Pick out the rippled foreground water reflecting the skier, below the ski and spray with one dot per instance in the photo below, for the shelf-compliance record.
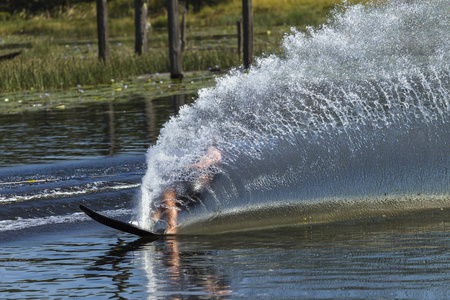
(394, 258)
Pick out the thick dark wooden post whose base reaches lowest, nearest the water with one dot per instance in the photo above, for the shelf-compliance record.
(176, 69)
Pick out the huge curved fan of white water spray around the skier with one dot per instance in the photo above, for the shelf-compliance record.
(352, 121)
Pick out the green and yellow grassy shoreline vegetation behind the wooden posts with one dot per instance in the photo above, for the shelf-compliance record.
(58, 48)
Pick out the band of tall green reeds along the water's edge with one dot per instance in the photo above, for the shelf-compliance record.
(50, 73)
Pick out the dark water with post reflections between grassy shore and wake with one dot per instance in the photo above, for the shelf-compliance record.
(102, 129)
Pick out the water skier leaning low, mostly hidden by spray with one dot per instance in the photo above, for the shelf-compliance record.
(186, 192)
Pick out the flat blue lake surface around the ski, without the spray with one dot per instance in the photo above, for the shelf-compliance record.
(49, 249)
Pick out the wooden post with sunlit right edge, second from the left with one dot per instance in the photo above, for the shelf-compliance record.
(140, 26)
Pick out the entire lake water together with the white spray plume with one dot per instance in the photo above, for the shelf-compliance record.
(334, 182)
